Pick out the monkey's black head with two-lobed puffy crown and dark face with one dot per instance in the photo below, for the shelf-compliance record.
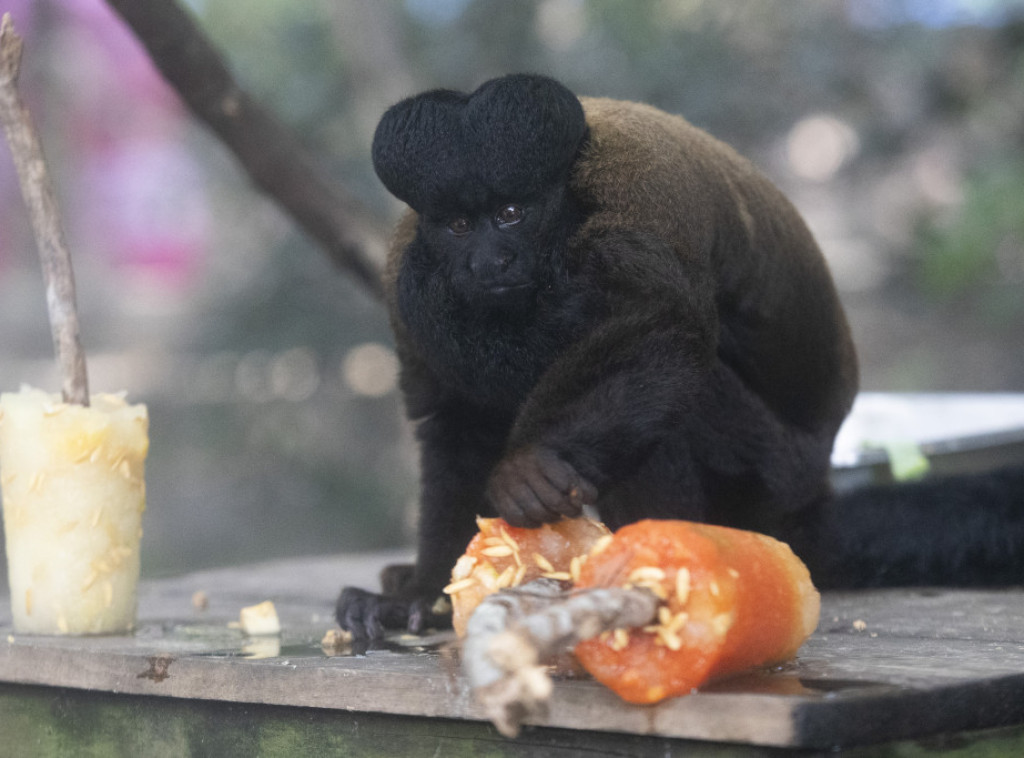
(488, 175)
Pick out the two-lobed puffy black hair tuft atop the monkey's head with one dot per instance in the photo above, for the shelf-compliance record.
(444, 151)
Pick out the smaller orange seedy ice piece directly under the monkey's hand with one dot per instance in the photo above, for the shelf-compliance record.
(501, 557)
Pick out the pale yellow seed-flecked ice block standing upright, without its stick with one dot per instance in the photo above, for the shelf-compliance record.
(74, 492)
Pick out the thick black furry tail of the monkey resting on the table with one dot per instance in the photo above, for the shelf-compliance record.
(964, 531)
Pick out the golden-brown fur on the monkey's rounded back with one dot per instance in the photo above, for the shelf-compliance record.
(645, 169)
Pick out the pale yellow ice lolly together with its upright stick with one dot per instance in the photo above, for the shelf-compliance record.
(71, 475)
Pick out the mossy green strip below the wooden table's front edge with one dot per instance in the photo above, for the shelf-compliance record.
(50, 723)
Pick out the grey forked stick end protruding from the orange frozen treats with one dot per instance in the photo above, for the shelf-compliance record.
(513, 633)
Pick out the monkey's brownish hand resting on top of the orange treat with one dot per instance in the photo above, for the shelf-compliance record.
(535, 487)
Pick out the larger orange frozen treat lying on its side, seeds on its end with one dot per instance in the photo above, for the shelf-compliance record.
(731, 601)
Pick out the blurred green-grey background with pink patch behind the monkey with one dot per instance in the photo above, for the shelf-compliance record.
(895, 125)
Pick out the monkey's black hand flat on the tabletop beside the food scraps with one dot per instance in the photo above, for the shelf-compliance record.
(369, 616)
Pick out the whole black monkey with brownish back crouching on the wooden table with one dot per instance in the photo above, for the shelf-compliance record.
(596, 303)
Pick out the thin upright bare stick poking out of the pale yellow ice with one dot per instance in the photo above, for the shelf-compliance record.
(39, 197)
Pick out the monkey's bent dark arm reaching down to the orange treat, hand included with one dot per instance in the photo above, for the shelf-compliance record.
(604, 405)
